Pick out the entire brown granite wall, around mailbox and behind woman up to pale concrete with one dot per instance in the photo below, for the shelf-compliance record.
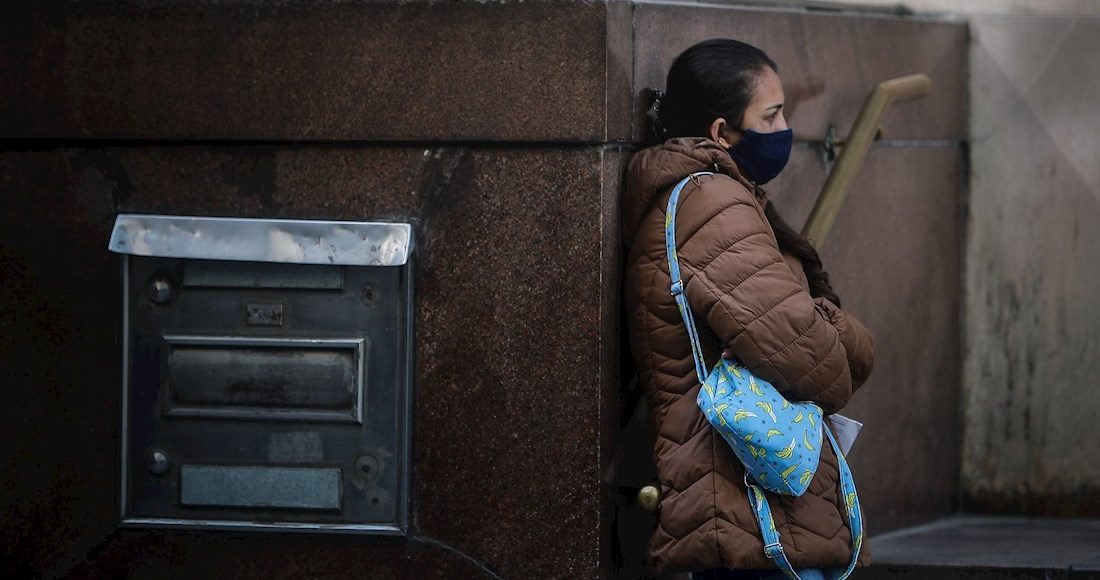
(502, 130)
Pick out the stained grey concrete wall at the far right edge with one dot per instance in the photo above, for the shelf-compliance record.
(1032, 332)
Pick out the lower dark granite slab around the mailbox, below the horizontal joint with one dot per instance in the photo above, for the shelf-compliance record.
(510, 348)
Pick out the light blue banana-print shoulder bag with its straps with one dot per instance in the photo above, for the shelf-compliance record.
(777, 441)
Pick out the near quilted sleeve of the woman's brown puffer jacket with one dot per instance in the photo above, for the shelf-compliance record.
(736, 280)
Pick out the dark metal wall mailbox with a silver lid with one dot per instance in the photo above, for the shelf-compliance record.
(267, 374)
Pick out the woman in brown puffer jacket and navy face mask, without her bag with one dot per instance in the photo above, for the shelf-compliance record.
(760, 294)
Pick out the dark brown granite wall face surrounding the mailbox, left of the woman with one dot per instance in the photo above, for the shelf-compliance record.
(492, 127)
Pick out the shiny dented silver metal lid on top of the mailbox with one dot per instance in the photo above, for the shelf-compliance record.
(361, 244)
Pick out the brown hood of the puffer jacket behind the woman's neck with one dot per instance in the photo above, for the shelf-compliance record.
(655, 170)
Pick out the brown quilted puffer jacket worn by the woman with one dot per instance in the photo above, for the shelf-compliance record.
(750, 298)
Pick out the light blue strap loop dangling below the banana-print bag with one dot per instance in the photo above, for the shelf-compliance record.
(774, 550)
